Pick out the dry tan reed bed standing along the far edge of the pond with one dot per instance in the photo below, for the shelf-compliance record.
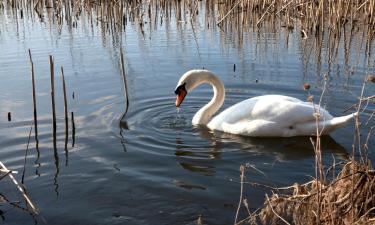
(313, 17)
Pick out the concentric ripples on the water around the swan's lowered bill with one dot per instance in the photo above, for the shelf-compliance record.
(157, 127)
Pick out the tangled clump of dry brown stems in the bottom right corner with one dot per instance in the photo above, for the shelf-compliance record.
(340, 202)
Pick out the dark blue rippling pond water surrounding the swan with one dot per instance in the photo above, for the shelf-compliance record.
(154, 167)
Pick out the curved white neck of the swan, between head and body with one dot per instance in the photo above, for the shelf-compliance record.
(204, 115)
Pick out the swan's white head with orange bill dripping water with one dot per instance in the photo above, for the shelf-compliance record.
(188, 82)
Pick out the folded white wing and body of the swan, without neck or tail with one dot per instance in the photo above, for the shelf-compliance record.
(267, 113)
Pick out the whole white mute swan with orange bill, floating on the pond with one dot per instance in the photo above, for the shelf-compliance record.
(262, 116)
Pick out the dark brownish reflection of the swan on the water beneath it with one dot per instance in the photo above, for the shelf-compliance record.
(282, 149)
